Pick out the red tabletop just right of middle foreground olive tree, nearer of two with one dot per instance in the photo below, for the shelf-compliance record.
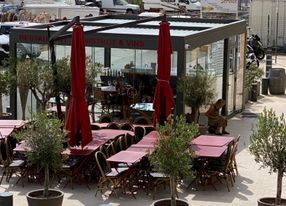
(208, 151)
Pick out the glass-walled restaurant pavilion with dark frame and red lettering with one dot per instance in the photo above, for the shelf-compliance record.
(126, 46)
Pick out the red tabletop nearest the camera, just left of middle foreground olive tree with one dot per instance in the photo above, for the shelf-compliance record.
(125, 156)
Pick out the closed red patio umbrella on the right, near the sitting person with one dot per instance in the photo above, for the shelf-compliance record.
(163, 98)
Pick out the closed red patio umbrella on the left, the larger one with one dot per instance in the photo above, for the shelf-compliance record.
(78, 122)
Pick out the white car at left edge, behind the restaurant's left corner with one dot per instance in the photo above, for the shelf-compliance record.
(23, 49)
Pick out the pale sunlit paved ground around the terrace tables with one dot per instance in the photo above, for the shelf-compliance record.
(251, 183)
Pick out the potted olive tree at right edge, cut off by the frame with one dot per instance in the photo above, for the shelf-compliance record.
(268, 145)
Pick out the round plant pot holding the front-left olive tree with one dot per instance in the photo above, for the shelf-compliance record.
(35, 198)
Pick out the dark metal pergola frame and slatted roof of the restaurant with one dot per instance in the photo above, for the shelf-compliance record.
(204, 34)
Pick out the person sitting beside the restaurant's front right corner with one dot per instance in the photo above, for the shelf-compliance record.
(216, 122)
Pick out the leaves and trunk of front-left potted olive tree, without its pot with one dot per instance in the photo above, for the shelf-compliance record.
(45, 138)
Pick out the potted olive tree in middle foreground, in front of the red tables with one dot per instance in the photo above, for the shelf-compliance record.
(172, 155)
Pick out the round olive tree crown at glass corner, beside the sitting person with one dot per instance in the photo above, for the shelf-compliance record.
(198, 88)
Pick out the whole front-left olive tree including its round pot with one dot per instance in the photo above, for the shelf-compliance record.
(44, 137)
